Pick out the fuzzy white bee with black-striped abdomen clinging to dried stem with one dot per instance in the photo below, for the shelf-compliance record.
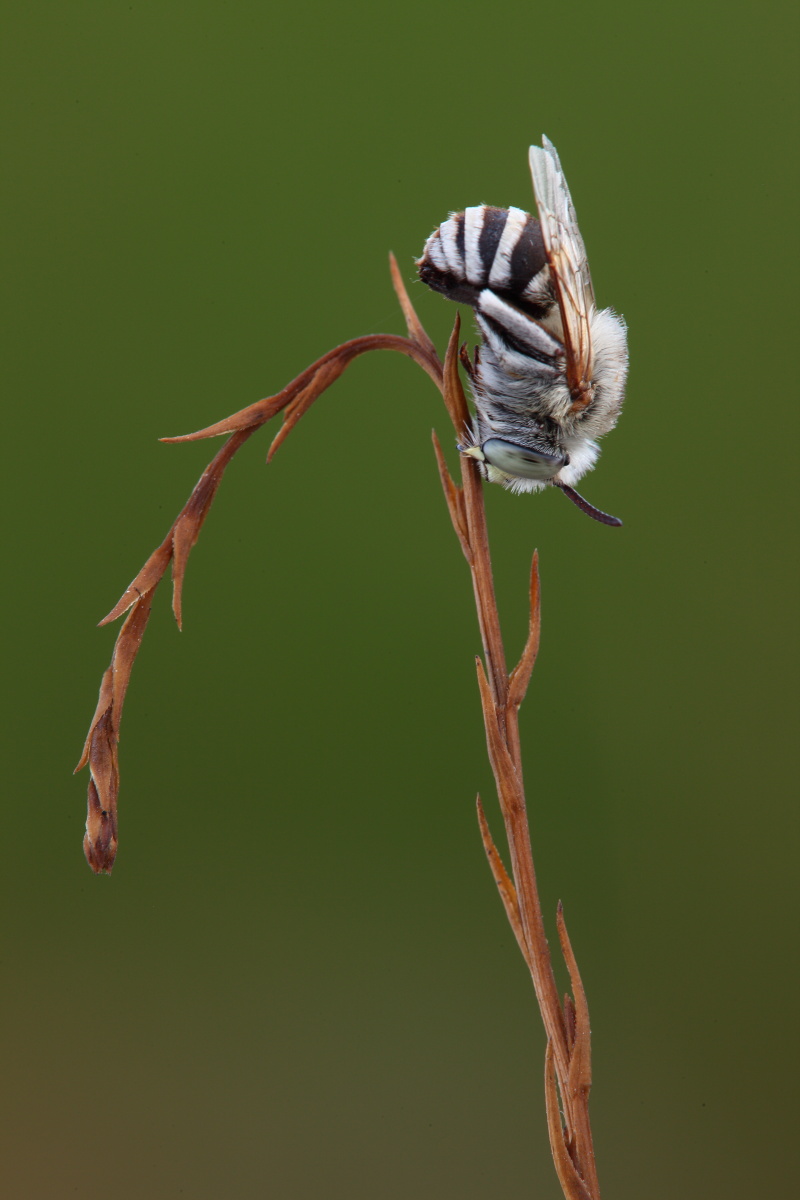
(550, 376)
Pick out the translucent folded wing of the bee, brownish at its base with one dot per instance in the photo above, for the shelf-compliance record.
(567, 256)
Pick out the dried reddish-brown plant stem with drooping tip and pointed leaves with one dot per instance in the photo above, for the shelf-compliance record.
(568, 1066)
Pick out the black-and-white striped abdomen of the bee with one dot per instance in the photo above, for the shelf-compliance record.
(486, 248)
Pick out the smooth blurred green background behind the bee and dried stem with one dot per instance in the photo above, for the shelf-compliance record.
(299, 982)
